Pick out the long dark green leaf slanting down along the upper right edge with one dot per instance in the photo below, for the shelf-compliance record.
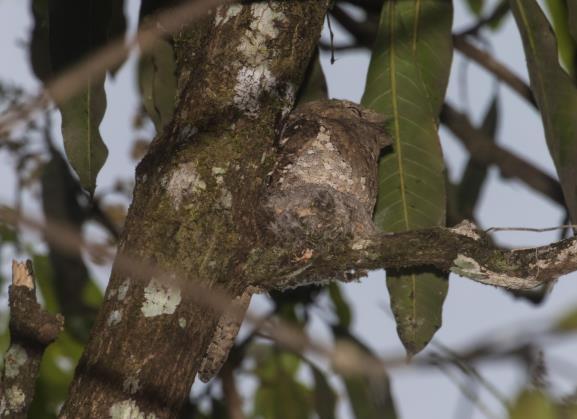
(555, 92)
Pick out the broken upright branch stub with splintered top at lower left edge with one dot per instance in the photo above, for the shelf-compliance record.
(31, 330)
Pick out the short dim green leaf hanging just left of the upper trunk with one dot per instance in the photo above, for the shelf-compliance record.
(157, 83)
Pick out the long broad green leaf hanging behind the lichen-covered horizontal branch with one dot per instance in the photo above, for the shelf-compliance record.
(406, 82)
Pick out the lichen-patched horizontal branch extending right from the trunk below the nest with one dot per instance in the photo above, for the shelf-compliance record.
(463, 250)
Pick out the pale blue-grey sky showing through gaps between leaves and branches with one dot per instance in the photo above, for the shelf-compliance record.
(472, 312)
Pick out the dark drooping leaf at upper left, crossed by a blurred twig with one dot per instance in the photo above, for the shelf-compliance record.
(77, 29)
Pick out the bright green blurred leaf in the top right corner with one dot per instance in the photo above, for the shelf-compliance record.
(565, 43)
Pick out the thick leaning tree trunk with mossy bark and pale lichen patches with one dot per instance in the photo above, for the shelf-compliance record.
(195, 215)
